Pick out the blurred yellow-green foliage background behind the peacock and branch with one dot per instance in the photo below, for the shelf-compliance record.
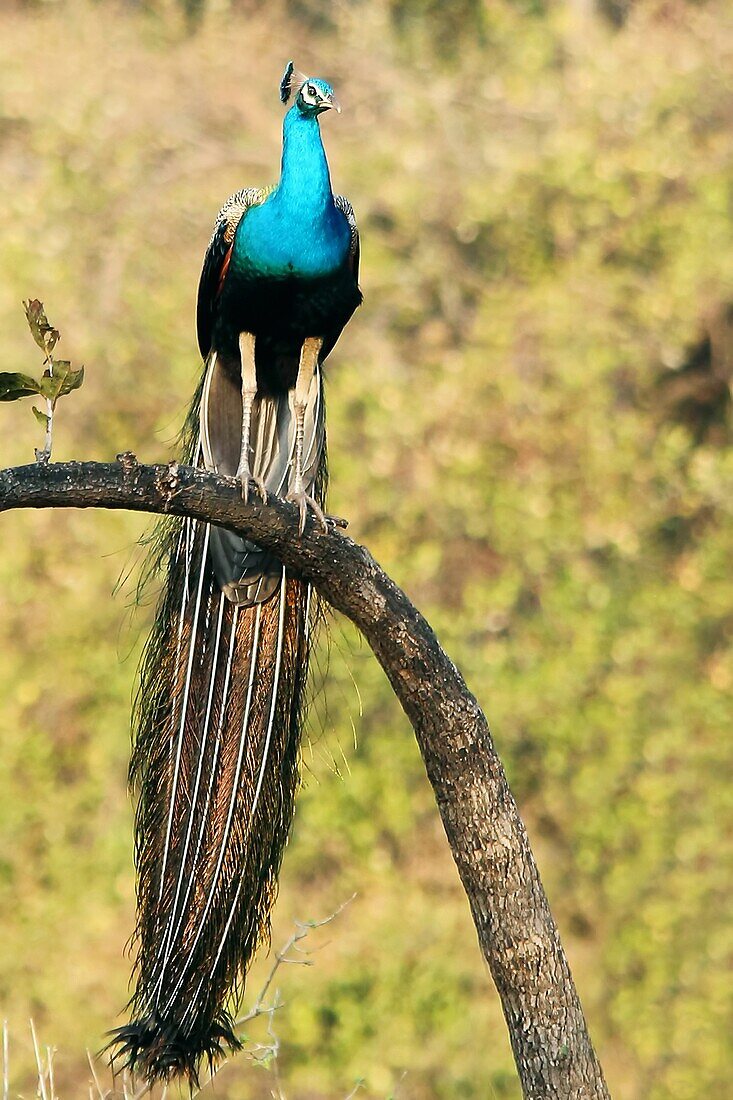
(530, 425)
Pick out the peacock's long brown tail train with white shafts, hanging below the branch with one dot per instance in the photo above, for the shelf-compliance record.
(215, 766)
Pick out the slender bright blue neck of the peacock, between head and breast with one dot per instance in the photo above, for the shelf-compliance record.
(305, 180)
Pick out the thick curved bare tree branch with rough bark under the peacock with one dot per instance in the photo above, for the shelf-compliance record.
(517, 932)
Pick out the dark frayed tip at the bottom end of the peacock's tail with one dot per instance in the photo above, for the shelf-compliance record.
(158, 1052)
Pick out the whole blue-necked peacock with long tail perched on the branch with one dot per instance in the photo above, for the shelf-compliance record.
(220, 710)
